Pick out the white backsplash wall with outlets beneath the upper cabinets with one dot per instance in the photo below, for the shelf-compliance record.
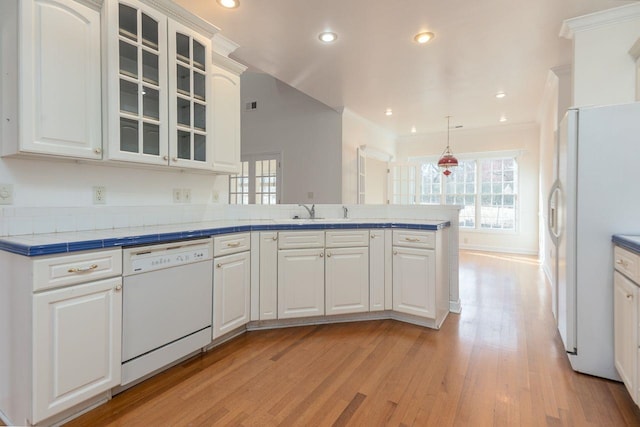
(53, 195)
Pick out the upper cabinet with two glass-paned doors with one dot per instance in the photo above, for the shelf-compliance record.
(159, 90)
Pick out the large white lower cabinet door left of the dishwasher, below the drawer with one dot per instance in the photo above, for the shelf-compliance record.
(76, 345)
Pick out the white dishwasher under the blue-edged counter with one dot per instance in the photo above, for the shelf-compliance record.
(166, 304)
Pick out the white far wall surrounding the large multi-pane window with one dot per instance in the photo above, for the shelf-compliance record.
(525, 139)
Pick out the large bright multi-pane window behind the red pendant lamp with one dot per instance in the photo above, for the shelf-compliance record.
(485, 187)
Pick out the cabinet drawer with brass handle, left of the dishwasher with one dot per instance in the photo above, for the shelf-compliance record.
(56, 271)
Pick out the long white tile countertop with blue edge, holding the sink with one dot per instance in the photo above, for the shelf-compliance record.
(56, 243)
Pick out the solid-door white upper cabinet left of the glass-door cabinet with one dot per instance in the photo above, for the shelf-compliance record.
(51, 78)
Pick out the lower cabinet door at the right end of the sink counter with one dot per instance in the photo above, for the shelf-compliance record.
(414, 281)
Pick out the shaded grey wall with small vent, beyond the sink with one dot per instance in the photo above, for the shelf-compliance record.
(307, 133)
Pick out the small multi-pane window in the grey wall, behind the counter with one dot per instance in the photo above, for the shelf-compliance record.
(258, 183)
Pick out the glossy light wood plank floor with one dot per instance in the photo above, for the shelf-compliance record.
(500, 362)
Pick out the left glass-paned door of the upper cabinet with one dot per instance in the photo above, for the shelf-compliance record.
(138, 126)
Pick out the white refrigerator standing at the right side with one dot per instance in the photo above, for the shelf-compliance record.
(596, 194)
